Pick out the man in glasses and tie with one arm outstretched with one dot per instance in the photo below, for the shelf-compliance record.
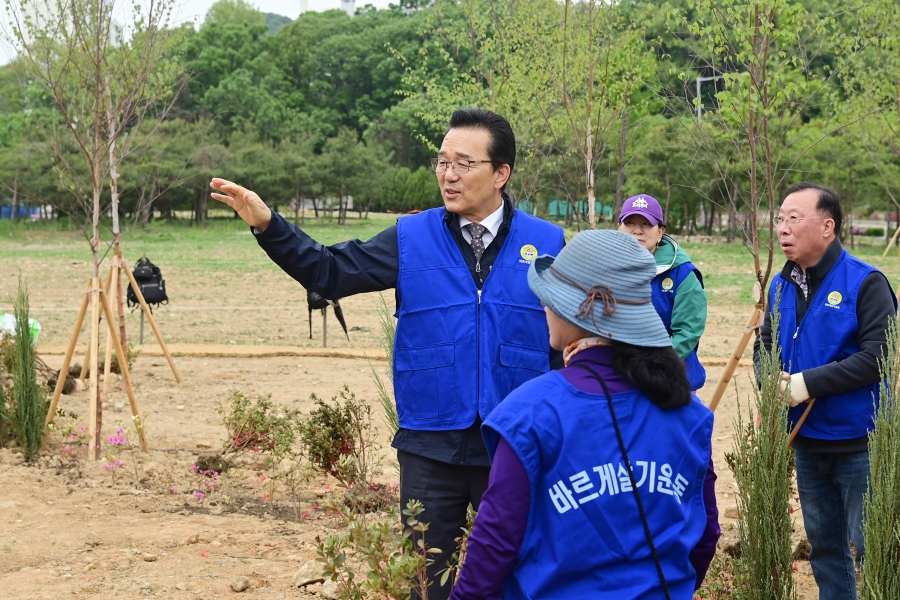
(469, 329)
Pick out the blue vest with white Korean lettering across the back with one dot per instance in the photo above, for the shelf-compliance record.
(585, 538)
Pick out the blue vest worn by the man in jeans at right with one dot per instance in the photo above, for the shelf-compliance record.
(828, 332)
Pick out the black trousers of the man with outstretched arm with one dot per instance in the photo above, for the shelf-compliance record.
(445, 492)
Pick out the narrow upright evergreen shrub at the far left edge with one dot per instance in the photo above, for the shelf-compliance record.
(30, 408)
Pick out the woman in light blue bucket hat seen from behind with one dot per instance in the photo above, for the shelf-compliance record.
(564, 516)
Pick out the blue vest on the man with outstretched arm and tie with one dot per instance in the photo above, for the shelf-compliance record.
(458, 350)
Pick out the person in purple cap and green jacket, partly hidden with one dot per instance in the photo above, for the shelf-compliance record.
(678, 293)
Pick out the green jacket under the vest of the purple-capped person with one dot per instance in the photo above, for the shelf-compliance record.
(689, 310)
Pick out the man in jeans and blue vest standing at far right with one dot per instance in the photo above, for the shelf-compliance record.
(834, 310)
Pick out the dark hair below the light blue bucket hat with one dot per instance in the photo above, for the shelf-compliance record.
(658, 372)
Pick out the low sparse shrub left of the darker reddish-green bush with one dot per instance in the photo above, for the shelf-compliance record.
(256, 427)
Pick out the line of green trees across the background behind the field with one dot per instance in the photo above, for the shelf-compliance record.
(603, 98)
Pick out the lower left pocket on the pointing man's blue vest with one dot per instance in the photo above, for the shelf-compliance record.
(425, 383)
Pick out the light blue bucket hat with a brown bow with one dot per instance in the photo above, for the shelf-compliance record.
(600, 282)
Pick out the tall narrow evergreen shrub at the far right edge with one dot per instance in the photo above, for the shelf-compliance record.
(881, 509)
